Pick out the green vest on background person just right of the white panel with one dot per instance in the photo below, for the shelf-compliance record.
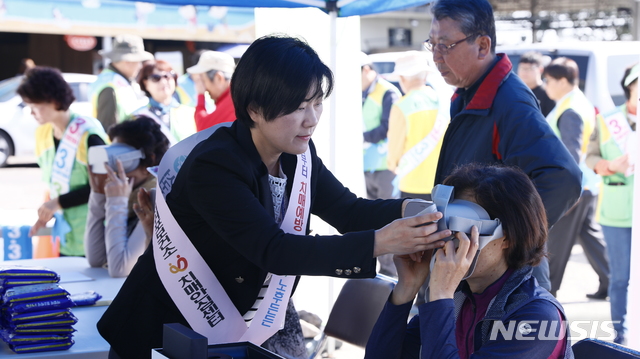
(375, 154)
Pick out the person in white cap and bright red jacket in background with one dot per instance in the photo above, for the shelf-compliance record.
(215, 69)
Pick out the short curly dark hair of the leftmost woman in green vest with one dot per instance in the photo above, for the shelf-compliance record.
(43, 84)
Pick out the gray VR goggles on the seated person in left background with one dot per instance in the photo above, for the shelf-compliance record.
(129, 156)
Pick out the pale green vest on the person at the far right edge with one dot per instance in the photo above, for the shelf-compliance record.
(616, 206)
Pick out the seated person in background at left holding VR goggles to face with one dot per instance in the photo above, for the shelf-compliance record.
(114, 236)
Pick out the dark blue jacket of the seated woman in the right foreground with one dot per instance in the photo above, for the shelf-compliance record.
(431, 333)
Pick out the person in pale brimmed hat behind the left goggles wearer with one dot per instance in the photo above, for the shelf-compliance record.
(113, 95)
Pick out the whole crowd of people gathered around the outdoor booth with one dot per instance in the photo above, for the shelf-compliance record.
(529, 150)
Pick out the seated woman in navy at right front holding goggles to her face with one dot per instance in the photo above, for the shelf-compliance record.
(497, 310)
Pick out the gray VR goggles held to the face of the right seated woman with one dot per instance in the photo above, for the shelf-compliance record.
(459, 216)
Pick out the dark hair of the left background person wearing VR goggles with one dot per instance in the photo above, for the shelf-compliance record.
(142, 132)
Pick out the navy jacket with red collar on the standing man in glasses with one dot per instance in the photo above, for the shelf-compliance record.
(498, 120)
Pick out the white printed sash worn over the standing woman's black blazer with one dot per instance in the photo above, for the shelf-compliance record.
(188, 279)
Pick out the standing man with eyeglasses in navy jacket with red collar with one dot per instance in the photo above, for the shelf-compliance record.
(495, 118)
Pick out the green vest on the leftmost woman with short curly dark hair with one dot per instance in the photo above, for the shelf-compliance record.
(75, 216)
